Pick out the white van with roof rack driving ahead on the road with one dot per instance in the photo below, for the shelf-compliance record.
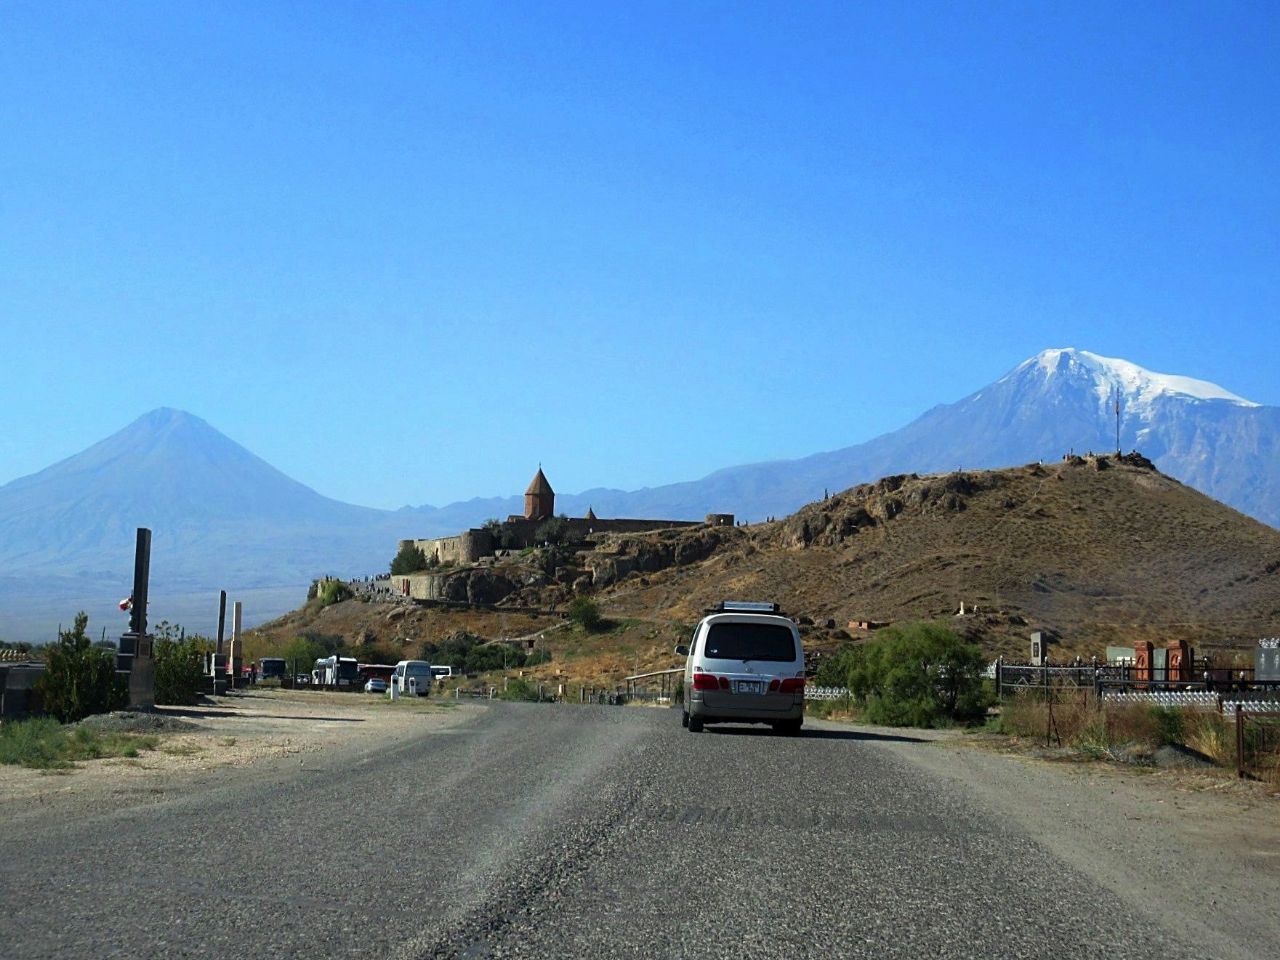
(744, 665)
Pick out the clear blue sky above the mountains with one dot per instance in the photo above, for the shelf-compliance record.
(408, 252)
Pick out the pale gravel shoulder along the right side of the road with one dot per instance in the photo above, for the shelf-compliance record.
(1196, 853)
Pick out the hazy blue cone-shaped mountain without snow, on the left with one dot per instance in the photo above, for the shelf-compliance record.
(221, 516)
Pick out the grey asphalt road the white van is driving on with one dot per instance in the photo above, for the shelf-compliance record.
(564, 831)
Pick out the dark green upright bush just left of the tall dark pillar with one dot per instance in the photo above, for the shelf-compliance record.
(80, 679)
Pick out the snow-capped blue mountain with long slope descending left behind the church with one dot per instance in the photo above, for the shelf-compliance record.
(1058, 401)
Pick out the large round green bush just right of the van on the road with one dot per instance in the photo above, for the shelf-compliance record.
(921, 675)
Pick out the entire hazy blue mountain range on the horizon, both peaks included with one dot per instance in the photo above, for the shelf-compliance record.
(223, 518)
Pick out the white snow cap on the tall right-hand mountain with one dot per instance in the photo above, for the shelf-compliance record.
(1139, 386)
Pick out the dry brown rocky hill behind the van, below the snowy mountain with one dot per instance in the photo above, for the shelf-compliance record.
(1095, 551)
